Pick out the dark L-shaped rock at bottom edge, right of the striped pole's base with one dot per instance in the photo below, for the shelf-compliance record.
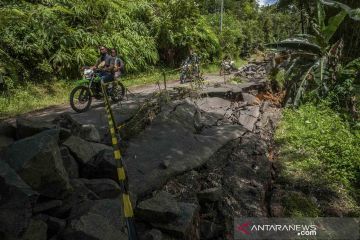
(184, 226)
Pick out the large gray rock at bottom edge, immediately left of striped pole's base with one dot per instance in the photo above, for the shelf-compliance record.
(96, 220)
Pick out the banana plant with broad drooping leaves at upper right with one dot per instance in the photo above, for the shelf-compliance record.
(314, 61)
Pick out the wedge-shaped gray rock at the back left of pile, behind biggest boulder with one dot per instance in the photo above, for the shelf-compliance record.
(28, 127)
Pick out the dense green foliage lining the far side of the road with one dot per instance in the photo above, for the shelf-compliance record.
(43, 39)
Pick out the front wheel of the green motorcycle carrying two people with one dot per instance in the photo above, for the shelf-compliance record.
(80, 99)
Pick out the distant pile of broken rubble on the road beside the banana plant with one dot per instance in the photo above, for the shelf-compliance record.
(254, 70)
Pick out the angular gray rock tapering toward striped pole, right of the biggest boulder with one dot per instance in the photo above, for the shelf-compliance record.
(84, 151)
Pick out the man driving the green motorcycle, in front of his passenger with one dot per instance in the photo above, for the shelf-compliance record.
(105, 65)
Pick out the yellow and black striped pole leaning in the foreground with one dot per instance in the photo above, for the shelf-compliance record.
(127, 206)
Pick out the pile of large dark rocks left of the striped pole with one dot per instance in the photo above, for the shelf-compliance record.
(55, 184)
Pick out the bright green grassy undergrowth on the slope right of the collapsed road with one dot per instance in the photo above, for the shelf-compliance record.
(319, 151)
